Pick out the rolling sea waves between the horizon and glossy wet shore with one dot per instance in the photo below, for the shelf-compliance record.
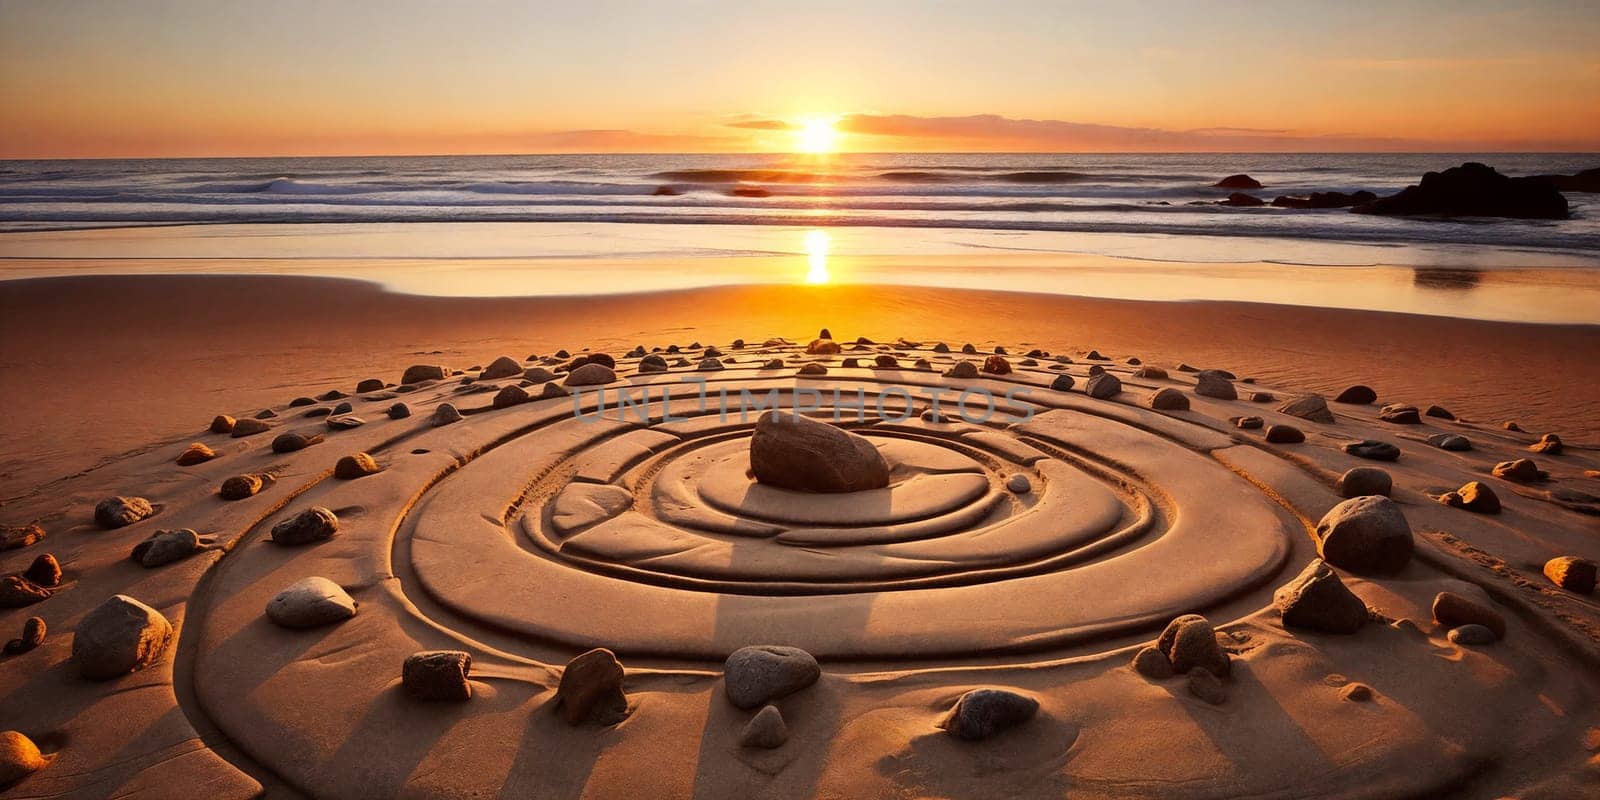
(1105, 194)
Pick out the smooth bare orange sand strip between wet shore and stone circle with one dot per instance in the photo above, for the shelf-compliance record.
(241, 343)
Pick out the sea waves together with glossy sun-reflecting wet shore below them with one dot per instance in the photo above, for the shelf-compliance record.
(1116, 226)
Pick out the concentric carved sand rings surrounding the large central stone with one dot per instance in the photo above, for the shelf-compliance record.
(639, 529)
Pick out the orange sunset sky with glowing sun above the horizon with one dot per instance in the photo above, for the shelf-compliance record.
(377, 78)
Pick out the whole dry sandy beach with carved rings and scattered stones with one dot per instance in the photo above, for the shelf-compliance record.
(1030, 558)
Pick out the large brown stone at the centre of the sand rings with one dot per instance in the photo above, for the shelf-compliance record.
(798, 454)
